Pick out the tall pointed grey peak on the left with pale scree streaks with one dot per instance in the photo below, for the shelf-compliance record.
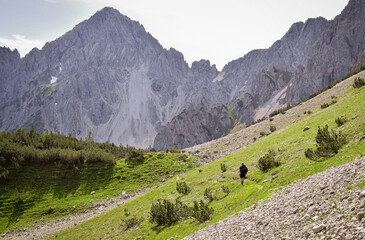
(108, 76)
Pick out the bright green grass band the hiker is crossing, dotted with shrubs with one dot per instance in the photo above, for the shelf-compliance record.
(290, 141)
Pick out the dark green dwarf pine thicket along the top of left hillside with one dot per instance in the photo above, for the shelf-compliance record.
(21, 147)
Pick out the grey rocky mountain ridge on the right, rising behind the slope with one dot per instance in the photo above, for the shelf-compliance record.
(310, 56)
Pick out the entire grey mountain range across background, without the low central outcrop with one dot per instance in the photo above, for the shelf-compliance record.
(111, 77)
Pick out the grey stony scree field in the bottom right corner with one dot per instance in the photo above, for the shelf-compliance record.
(327, 205)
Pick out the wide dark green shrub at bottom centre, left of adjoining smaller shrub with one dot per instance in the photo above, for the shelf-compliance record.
(165, 212)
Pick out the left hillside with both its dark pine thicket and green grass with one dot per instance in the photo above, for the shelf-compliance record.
(48, 176)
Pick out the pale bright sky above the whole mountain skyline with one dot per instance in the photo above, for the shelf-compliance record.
(217, 30)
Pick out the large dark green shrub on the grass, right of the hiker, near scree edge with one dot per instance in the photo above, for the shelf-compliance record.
(328, 144)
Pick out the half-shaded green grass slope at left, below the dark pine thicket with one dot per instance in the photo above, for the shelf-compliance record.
(32, 190)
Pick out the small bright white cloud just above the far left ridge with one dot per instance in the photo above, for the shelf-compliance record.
(21, 43)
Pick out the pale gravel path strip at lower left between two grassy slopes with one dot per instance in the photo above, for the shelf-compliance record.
(50, 228)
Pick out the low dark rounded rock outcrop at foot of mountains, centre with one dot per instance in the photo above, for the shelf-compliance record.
(195, 125)
